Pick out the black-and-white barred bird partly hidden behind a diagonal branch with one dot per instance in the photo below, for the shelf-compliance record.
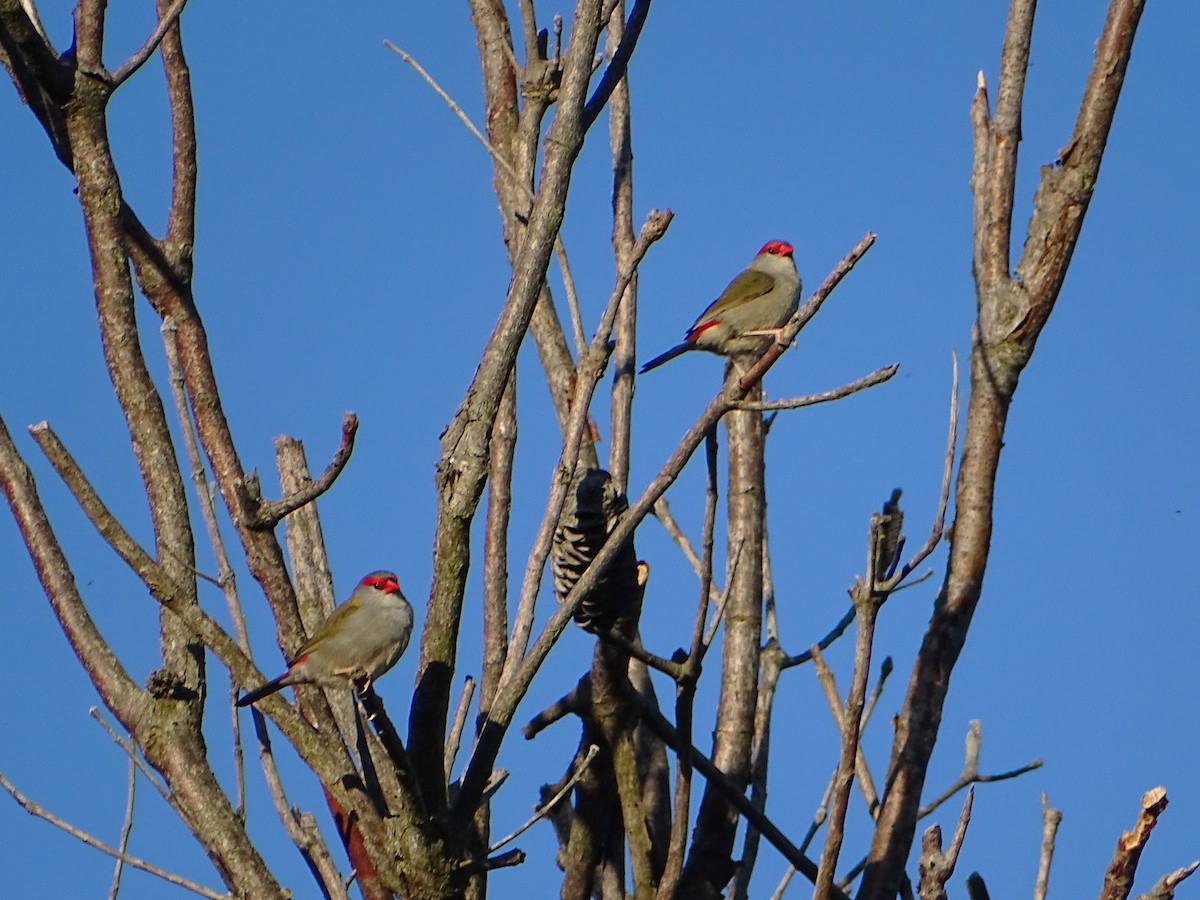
(593, 509)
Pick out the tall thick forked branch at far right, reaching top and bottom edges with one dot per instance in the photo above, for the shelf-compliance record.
(1011, 316)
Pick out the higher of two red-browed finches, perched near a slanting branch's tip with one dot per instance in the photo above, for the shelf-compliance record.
(757, 304)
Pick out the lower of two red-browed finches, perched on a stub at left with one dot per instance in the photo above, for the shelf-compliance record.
(361, 640)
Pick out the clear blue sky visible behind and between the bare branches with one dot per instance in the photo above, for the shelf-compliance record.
(349, 257)
